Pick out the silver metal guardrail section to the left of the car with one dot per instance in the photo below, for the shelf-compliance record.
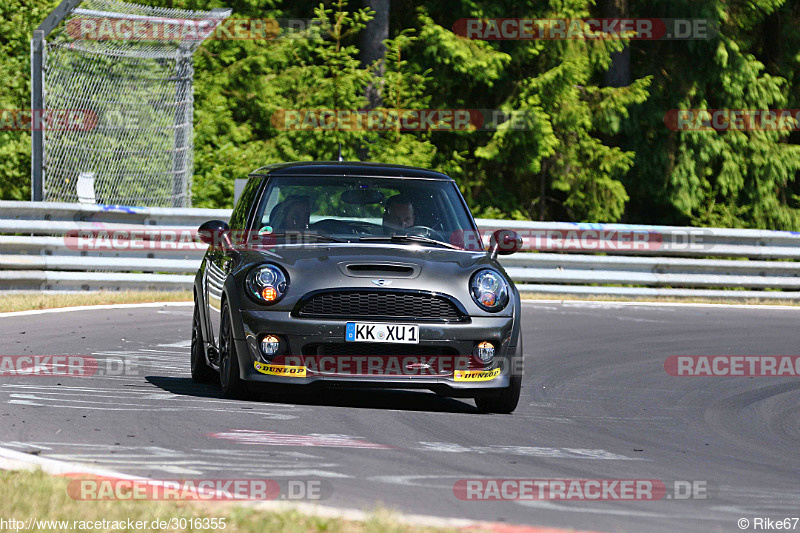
(34, 253)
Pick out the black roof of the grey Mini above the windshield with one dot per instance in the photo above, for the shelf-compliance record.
(348, 168)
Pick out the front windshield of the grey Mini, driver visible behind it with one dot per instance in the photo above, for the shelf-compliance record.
(366, 209)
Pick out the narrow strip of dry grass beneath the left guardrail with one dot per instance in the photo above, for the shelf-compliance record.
(44, 300)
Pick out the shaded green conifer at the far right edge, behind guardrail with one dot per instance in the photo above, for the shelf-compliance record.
(725, 178)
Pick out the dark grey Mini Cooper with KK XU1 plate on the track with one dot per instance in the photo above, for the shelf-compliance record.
(357, 275)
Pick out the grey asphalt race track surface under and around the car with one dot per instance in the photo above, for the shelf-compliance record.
(597, 404)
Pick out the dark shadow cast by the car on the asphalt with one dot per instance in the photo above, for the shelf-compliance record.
(405, 400)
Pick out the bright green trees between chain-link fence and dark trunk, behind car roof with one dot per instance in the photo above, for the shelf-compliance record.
(242, 97)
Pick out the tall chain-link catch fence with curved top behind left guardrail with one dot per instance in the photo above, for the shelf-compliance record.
(126, 70)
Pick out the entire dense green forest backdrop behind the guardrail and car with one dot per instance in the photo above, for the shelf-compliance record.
(579, 146)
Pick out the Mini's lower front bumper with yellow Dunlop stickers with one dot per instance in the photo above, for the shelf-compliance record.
(455, 371)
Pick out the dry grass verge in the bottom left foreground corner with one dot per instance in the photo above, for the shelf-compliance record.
(35, 495)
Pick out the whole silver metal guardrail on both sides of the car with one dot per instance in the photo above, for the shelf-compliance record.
(676, 261)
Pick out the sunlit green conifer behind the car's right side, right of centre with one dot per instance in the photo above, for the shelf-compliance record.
(552, 159)
